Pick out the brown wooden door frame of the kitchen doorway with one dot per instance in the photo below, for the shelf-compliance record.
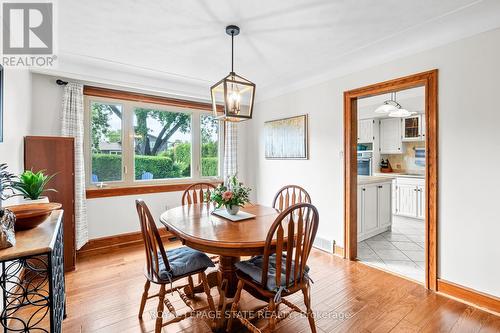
(427, 83)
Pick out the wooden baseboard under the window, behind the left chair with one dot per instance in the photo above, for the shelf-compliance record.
(105, 244)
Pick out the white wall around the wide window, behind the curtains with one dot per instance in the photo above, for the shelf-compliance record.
(114, 215)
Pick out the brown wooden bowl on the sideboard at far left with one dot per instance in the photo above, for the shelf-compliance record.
(29, 216)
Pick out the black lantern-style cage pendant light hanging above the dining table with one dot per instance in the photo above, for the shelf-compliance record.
(233, 96)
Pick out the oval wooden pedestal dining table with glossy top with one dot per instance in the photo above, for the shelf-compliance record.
(197, 227)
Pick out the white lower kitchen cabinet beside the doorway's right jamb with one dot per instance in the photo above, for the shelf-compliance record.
(409, 197)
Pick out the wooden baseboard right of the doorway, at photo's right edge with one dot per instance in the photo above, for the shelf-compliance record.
(470, 296)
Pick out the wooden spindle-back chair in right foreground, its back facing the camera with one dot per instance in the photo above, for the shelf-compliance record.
(282, 270)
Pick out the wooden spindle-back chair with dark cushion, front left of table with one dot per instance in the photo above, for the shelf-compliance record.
(166, 267)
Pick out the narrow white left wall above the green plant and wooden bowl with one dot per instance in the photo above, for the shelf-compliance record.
(17, 118)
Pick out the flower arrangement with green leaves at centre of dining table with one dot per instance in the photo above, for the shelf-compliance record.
(232, 196)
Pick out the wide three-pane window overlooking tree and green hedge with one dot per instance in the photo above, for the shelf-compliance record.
(132, 143)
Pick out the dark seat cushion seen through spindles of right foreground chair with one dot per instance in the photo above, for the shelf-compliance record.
(253, 268)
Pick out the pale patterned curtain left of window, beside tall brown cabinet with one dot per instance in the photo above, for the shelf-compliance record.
(73, 126)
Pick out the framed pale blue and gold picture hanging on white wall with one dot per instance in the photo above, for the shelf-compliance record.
(286, 138)
